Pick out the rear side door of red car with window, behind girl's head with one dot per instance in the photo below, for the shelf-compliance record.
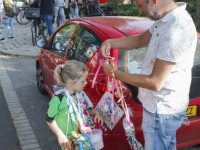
(83, 48)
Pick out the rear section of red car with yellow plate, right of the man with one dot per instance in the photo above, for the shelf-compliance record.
(189, 132)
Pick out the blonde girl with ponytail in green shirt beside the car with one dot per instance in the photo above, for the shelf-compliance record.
(70, 108)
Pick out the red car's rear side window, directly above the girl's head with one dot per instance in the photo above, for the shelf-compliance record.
(84, 44)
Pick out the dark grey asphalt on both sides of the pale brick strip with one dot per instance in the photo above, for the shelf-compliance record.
(22, 74)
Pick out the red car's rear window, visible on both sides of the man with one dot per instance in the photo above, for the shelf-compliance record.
(131, 61)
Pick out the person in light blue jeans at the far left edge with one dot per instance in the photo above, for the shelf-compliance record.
(8, 7)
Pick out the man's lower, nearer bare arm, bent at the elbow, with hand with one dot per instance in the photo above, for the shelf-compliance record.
(154, 81)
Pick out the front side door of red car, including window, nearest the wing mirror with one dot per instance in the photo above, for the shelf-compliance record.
(56, 52)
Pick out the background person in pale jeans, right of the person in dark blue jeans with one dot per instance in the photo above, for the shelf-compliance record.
(59, 8)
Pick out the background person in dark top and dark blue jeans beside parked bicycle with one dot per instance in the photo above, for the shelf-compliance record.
(46, 12)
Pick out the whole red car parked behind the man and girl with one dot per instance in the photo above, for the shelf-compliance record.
(81, 39)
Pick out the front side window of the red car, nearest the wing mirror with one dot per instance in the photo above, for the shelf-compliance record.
(61, 39)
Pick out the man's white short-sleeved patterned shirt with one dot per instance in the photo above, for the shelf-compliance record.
(174, 39)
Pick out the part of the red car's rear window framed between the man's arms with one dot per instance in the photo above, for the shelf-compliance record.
(131, 61)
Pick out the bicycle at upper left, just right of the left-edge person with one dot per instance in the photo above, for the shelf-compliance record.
(21, 18)
